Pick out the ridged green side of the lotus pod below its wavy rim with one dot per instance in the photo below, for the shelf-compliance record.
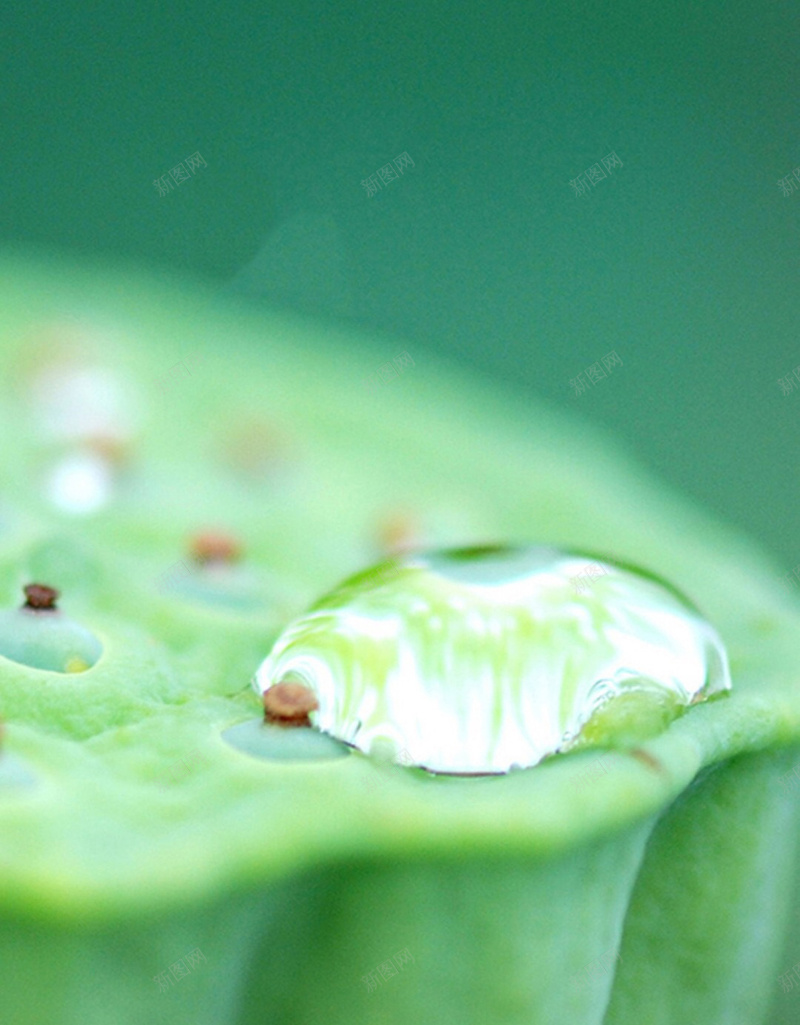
(653, 923)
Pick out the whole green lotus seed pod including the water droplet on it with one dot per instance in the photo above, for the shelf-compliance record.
(192, 855)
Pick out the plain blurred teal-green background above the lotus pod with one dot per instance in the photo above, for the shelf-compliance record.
(685, 261)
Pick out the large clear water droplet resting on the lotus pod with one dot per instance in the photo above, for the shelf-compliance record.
(479, 660)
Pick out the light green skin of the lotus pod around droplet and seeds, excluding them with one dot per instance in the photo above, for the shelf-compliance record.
(298, 879)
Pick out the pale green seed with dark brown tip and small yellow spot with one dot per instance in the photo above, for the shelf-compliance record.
(41, 636)
